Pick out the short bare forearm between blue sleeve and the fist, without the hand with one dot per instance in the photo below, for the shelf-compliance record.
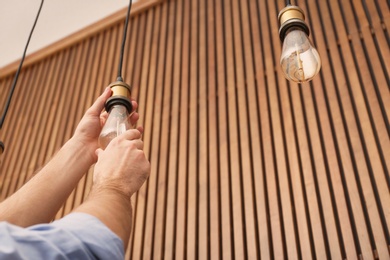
(111, 207)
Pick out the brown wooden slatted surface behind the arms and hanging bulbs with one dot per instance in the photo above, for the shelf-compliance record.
(245, 165)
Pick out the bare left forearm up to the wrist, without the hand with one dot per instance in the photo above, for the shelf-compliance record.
(41, 197)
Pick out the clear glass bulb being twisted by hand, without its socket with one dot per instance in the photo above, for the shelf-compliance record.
(117, 123)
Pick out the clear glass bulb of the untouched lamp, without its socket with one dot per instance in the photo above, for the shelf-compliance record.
(300, 61)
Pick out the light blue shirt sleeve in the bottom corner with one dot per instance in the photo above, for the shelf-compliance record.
(76, 236)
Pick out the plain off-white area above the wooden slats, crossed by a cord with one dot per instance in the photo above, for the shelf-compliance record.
(58, 19)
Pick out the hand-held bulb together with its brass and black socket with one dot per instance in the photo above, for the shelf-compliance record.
(118, 107)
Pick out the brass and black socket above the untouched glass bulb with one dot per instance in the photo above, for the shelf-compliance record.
(291, 16)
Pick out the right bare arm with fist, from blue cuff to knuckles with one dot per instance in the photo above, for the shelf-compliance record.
(120, 171)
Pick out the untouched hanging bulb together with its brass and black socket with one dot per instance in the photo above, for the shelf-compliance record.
(300, 61)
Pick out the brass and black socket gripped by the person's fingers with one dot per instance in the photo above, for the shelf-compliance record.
(120, 96)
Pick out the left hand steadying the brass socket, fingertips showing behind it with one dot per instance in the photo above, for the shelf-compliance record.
(90, 126)
